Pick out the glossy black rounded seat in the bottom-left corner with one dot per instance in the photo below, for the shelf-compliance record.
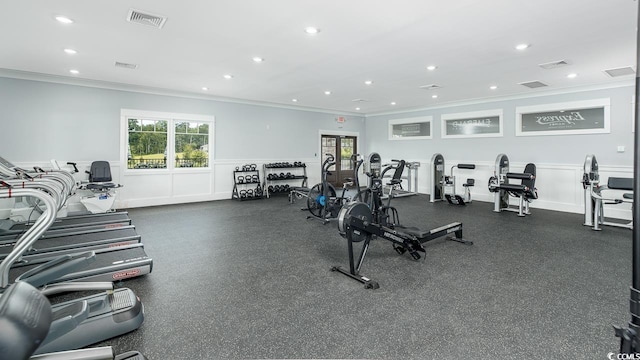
(25, 318)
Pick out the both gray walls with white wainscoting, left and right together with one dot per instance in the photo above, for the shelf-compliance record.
(44, 120)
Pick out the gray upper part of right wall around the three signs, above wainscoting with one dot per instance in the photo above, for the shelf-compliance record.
(558, 149)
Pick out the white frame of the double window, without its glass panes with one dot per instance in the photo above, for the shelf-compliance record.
(171, 118)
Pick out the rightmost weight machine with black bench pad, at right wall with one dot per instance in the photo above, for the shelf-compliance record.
(595, 199)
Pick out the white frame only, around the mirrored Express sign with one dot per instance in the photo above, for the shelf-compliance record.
(584, 104)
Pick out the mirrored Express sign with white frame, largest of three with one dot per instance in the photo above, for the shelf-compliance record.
(580, 117)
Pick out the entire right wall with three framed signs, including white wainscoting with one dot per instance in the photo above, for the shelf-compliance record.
(559, 158)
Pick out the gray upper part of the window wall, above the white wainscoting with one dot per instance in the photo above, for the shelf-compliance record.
(42, 120)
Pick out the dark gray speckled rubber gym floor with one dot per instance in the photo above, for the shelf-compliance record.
(252, 280)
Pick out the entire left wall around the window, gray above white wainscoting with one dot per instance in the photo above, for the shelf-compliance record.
(44, 120)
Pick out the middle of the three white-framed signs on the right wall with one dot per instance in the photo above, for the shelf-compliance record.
(486, 123)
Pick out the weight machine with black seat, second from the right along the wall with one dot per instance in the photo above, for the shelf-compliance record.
(501, 188)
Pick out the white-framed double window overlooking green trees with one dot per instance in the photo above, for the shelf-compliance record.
(164, 140)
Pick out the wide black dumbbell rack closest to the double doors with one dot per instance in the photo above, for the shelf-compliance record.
(273, 177)
